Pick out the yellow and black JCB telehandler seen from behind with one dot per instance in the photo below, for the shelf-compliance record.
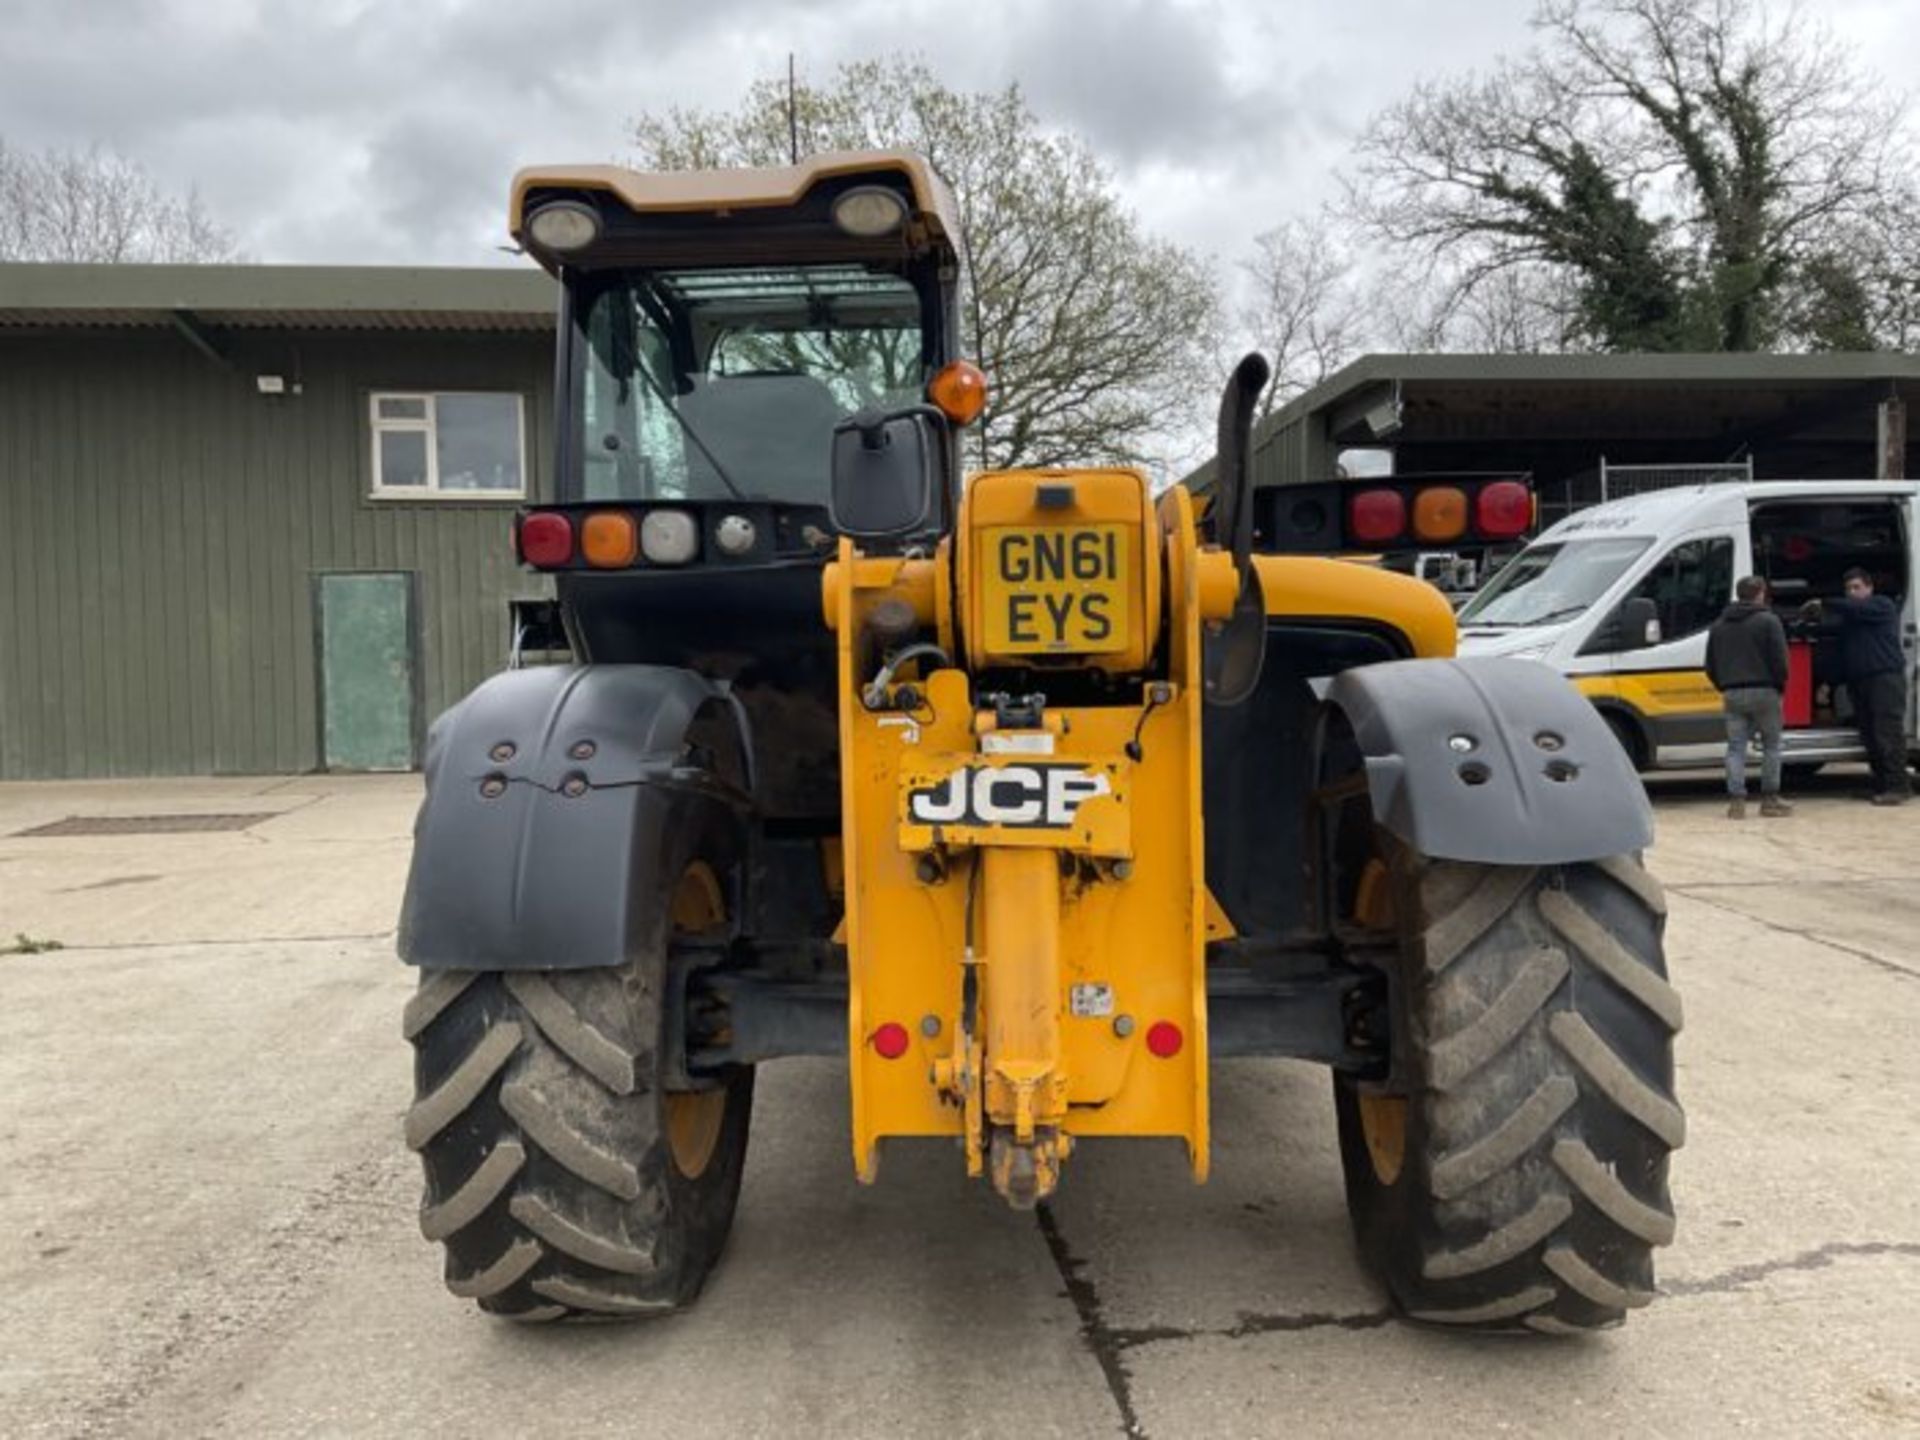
(1032, 794)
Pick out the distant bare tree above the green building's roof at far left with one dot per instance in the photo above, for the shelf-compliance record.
(99, 206)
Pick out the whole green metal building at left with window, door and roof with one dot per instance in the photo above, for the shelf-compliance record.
(256, 519)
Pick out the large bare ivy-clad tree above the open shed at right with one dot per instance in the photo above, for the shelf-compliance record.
(1687, 162)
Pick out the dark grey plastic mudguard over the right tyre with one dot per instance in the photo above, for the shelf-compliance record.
(1495, 761)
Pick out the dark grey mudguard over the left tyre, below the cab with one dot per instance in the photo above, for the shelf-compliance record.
(556, 802)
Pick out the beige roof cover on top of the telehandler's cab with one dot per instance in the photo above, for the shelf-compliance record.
(742, 189)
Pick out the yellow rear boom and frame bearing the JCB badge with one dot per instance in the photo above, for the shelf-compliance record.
(1049, 1015)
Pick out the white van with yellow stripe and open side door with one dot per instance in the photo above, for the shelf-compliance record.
(1620, 600)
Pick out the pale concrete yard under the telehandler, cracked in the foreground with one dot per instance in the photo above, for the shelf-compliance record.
(208, 1214)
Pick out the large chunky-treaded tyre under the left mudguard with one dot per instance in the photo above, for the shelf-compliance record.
(562, 1178)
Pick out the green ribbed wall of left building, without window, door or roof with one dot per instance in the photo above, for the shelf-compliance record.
(162, 521)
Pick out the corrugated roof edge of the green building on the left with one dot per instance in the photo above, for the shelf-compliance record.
(279, 297)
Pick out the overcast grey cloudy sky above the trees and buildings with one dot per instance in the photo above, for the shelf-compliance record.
(364, 132)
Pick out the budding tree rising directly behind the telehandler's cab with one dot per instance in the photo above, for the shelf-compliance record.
(1095, 335)
